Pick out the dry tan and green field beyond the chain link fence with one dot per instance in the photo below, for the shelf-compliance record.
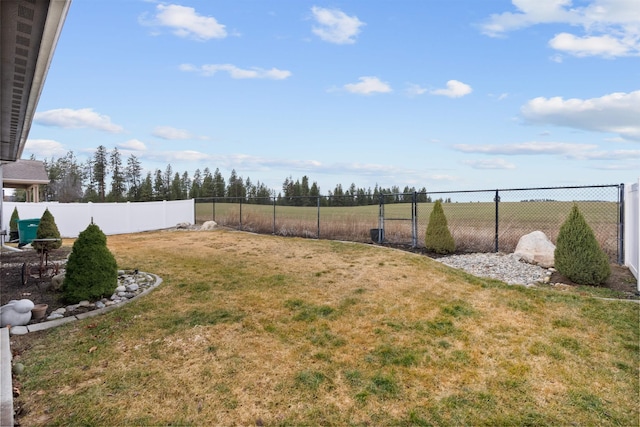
(473, 225)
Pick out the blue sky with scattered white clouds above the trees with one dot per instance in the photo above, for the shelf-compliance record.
(444, 94)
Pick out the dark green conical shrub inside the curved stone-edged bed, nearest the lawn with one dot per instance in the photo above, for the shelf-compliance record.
(91, 271)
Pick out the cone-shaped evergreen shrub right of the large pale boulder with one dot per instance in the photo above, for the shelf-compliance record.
(578, 256)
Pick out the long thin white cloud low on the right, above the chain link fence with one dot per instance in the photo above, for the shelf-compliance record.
(527, 148)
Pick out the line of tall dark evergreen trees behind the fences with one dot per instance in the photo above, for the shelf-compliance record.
(107, 177)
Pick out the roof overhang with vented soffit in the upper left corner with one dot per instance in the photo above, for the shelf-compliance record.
(29, 31)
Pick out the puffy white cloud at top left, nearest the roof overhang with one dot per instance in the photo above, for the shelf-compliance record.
(185, 22)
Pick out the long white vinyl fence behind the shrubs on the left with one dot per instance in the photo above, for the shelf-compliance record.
(112, 218)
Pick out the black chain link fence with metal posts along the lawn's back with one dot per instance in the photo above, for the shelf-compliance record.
(479, 220)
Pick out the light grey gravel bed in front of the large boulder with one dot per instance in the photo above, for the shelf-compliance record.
(505, 267)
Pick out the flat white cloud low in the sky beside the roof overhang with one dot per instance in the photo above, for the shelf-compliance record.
(76, 119)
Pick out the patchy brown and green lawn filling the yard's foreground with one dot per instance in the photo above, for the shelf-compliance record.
(253, 329)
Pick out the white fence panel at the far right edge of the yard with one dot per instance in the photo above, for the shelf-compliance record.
(632, 228)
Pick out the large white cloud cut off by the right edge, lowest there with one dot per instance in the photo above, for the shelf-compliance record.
(616, 113)
